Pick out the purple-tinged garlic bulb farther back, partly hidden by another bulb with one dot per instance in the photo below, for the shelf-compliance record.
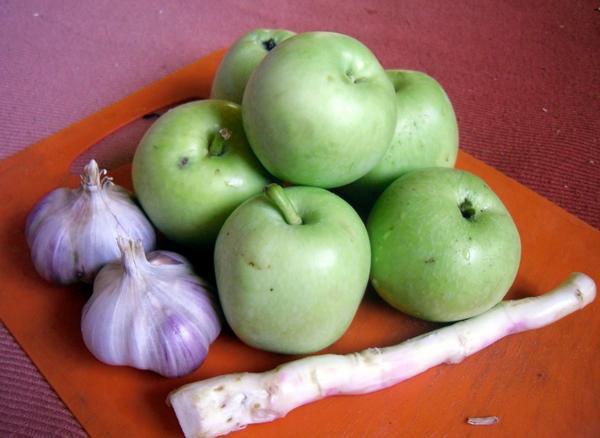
(72, 232)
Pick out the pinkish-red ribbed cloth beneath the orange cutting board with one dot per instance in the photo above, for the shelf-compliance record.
(523, 77)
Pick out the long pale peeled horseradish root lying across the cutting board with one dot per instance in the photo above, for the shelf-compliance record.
(223, 404)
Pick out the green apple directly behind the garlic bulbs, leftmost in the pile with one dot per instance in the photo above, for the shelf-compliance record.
(193, 167)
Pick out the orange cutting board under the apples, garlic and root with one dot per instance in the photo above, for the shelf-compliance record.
(545, 382)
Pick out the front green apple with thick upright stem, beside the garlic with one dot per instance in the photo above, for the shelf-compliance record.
(291, 268)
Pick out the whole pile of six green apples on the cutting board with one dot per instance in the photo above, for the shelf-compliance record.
(315, 112)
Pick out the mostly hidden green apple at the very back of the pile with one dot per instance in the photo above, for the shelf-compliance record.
(240, 61)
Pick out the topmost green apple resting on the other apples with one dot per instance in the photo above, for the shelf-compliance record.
(319, 110)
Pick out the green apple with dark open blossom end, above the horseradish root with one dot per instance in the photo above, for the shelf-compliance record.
(431, 262)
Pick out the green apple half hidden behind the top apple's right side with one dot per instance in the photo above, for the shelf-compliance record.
(426, 135)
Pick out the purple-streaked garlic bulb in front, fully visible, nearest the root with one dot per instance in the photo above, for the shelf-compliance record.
(150, 313)
